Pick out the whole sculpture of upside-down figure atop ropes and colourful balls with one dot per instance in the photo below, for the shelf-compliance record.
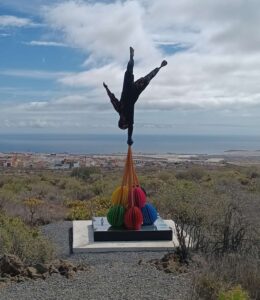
(129, 207)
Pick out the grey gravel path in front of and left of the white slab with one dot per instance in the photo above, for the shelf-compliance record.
(115, 275)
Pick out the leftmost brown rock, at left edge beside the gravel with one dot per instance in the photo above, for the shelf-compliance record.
(11, 264)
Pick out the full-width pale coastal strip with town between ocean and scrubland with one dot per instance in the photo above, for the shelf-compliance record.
(63, 161)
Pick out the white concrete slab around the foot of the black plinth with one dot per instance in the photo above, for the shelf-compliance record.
(83, 241)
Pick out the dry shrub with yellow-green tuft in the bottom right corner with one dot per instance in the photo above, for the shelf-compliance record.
(221, 277)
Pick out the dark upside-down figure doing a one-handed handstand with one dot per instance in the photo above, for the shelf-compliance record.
(130, 93)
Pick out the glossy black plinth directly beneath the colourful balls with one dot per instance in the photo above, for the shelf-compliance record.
(104, 232)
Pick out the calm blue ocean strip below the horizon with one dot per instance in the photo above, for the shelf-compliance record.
(108, 144)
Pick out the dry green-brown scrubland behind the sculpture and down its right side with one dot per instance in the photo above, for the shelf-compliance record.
(218, 207)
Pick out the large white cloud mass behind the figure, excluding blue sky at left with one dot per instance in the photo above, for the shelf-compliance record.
(212, 48)
